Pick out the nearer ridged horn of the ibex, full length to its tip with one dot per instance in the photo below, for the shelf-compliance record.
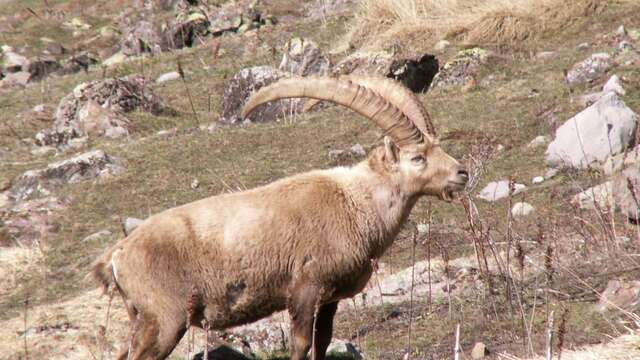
(361, 99)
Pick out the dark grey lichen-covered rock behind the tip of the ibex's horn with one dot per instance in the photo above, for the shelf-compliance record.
(243, 84)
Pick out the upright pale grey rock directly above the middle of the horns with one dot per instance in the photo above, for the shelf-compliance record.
(303, 57)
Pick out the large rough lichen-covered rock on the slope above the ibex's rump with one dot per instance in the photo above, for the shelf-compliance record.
(115, 95)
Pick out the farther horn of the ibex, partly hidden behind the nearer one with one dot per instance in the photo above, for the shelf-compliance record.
(401, 97)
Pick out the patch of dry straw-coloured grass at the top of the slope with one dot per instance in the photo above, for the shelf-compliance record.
(379, 23)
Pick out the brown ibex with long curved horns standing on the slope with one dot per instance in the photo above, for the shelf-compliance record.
(301, 243)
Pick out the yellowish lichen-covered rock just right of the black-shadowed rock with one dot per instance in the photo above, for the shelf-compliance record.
(464, 67)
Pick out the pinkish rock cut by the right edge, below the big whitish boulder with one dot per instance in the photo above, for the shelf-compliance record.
(626, 190)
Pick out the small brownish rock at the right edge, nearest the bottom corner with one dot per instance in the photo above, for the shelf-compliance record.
(620, 294)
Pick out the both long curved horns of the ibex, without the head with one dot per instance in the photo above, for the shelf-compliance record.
(390, 105)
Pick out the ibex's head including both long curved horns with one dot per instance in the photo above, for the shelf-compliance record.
(411, 156)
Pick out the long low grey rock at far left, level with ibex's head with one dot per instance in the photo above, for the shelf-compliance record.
(37, 183)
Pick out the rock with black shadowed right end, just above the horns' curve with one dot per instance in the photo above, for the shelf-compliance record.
(416, 73)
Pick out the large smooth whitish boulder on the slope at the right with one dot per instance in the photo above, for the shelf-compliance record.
(603, 129)
